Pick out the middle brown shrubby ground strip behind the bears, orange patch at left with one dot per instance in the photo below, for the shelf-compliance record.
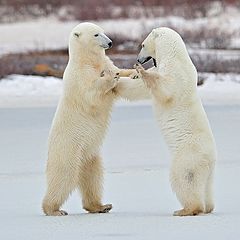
(53, 63)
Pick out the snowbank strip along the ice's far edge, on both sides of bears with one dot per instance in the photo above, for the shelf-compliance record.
(27, 91)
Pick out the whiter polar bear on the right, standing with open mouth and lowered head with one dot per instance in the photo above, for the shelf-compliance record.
(182, 119)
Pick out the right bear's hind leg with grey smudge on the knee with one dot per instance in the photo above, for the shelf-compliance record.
(190, 191)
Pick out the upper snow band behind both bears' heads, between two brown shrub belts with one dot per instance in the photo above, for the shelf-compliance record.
(49, 33)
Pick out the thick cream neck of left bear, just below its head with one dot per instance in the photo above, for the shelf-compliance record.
(84, 56)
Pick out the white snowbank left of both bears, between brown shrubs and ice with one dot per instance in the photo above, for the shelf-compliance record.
(20, 90)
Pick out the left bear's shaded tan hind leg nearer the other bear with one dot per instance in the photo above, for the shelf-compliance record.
(90, 185)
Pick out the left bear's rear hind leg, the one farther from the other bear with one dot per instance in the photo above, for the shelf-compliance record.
(61, 182)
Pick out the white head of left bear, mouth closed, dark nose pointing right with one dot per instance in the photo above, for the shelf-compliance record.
(89, 36)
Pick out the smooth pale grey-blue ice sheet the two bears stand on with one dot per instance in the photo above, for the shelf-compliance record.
(136, 182)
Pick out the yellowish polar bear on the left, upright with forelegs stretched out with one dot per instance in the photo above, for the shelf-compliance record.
(90, 85)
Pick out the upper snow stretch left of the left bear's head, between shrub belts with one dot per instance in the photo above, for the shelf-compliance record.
(34, 35)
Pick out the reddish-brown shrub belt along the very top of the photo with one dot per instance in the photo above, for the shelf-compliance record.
(105, 9)
